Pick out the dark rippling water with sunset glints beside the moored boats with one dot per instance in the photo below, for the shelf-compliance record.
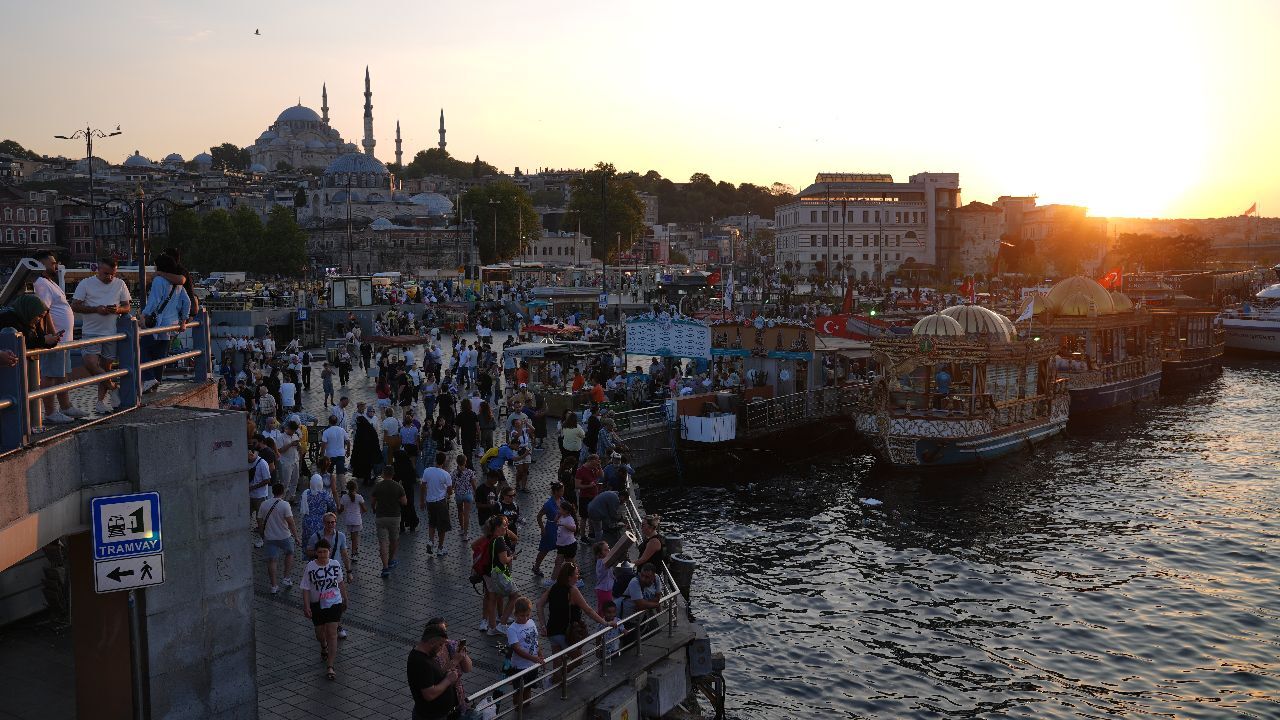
(1124, 571)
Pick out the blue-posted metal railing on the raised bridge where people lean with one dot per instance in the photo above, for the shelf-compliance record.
(20, 386)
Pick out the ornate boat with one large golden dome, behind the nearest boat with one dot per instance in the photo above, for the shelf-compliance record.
(1107, 349)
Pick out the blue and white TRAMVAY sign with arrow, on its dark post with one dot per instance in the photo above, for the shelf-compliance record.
(129, 554)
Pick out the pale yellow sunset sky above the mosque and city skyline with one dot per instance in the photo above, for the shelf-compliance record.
(1140, 110)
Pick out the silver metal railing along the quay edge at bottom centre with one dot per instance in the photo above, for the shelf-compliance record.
(570, 663)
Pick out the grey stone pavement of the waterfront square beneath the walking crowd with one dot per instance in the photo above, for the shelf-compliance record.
(386, 617)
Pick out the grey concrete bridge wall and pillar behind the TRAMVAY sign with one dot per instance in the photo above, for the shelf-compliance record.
(199, 623)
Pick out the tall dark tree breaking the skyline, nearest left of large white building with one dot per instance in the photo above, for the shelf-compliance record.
(611, 212)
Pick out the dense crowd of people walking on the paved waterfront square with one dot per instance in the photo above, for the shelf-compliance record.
(446, 446)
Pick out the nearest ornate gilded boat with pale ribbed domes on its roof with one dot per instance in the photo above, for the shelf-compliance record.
(962, 390)
